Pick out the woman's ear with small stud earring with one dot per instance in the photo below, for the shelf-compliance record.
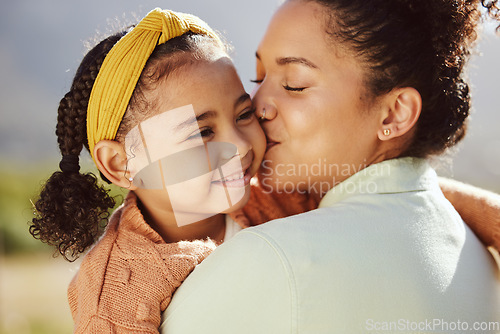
(404, 107)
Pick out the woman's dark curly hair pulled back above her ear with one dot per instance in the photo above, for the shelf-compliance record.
(422, 44)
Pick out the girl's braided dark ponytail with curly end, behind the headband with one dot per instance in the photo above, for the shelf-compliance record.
(73, 207)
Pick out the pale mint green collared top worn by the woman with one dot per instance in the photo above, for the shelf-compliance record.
(384, 251)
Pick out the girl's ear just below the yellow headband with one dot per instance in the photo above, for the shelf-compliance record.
(111, 160)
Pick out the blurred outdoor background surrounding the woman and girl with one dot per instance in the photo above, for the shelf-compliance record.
(41, 45)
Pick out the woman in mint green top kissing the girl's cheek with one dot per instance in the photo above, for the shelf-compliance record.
(354, 96)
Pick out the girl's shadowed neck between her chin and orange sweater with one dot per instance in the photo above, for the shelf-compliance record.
(163, 221)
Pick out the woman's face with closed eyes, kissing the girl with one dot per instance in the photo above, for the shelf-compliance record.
(319, 126)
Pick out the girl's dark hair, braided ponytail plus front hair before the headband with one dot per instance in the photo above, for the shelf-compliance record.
(73, 208)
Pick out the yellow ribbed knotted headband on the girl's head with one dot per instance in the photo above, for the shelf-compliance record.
(123, 66)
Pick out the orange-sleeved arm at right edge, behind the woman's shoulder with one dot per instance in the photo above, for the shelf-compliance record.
(479, 208)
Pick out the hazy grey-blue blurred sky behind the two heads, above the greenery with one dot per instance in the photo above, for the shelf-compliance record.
(42, 43)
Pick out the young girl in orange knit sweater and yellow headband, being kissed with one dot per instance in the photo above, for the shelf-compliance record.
(163, 113)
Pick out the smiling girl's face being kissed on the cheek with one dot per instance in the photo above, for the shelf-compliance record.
(206, 138)
